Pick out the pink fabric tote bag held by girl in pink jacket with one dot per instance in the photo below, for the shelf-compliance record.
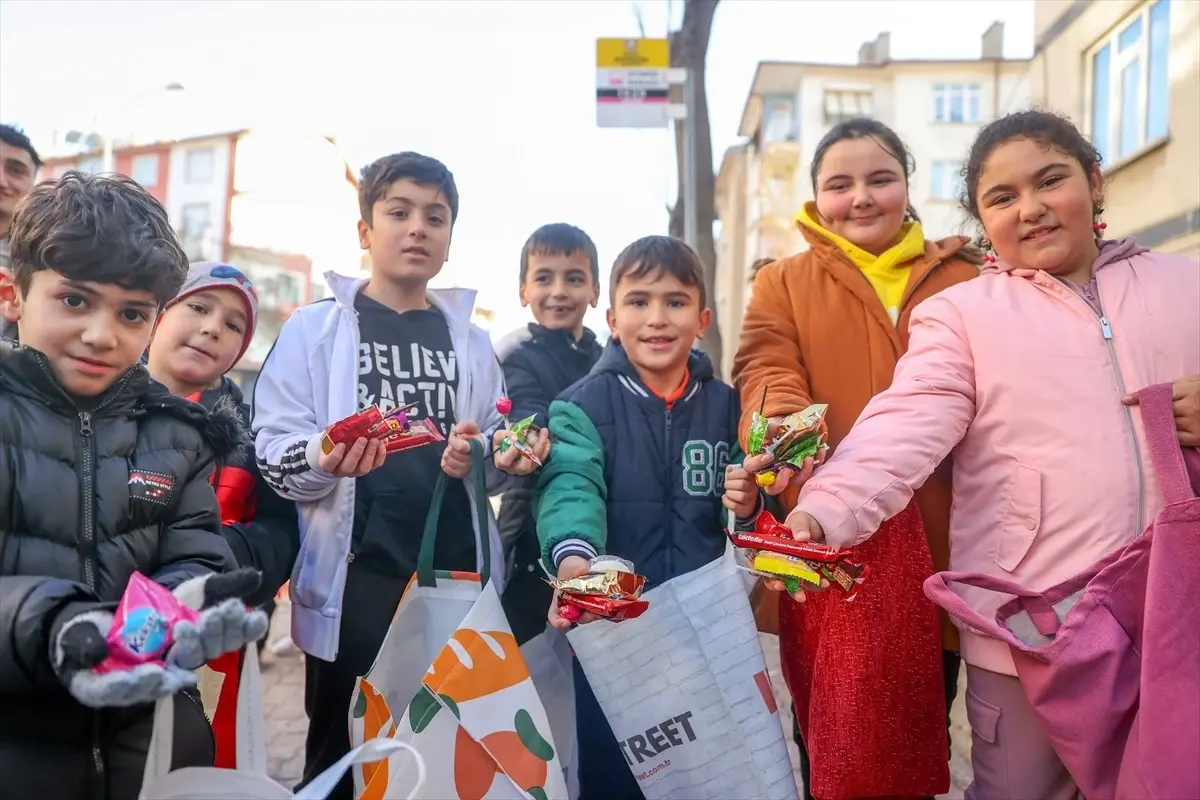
(1111, 659)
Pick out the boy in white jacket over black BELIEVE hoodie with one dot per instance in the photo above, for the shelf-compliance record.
(388, 341)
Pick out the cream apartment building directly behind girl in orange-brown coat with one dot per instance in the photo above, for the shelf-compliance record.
(937, 107)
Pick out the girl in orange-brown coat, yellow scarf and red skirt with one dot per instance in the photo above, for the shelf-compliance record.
(829, 327)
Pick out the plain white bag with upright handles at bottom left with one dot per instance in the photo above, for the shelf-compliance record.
(251, 780)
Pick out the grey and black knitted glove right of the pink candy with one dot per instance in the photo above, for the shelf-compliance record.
(225, 624)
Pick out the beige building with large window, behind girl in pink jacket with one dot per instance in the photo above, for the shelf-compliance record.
(1129, 74)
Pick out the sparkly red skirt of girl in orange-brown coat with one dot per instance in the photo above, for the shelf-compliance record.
(867, 676)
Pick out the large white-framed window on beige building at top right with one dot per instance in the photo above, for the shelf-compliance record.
(1130, 83)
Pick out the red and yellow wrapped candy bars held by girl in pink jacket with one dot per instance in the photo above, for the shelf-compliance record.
(775, 555)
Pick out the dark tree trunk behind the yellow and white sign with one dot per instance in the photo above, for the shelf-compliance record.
(689, 49)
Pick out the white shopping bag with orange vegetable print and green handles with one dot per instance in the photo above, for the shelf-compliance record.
(452, 681)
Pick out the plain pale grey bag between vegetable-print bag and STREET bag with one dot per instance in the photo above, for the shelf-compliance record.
(549, 658)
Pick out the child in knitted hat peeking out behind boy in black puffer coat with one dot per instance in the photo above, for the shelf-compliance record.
(201, 335)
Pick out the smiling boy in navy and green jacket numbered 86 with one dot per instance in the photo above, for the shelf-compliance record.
(641, 460)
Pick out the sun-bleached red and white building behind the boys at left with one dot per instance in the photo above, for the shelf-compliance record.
(280, 206)
